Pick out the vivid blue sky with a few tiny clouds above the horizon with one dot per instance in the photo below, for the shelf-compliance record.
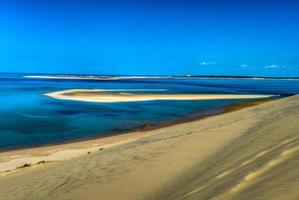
(211, 37)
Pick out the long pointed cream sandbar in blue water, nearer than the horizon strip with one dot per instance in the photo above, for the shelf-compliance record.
(98, 95)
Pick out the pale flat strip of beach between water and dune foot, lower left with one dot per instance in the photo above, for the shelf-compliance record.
(14, 160)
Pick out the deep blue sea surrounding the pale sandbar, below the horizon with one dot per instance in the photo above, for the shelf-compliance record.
(27, 118)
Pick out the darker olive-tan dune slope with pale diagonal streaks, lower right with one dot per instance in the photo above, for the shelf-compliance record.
(262, 164)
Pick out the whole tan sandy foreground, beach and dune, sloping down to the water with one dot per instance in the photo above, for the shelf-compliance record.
(246, 154)
